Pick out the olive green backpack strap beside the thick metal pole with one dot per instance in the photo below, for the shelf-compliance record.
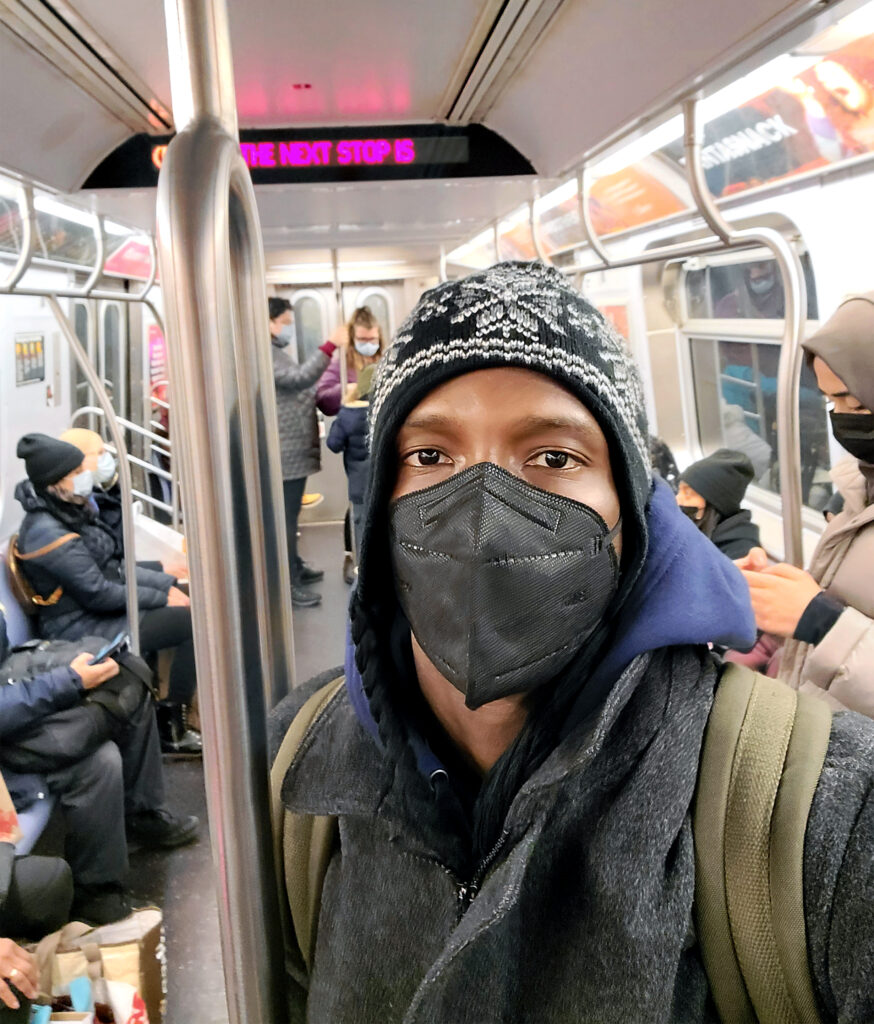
(302, 843)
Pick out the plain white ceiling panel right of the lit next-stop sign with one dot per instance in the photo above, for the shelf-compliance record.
(602, 65)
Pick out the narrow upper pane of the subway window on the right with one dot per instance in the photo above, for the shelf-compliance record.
(748, 290)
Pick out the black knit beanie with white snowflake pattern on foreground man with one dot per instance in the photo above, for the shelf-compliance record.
(516, 315)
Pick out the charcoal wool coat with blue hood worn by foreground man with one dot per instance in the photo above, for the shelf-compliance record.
(584, 911)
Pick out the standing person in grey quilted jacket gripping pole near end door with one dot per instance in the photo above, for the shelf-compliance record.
(299, 443)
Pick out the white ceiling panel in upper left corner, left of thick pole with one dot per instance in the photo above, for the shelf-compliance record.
(51, 131)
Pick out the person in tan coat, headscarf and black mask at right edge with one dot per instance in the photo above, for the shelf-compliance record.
(826, 615)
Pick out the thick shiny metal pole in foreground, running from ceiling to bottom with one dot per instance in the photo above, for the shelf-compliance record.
(226, 437)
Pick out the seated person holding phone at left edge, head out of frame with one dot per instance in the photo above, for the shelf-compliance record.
(104, 765)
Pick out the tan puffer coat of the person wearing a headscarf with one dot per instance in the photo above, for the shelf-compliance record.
(841, 667)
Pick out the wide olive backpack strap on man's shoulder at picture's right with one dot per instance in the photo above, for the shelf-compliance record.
(764, 752)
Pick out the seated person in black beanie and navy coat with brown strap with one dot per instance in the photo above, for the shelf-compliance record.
(74, 563)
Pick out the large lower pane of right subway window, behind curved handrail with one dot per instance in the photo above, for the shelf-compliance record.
(735, 387)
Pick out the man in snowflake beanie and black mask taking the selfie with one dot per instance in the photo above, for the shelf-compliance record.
(514, 754)
